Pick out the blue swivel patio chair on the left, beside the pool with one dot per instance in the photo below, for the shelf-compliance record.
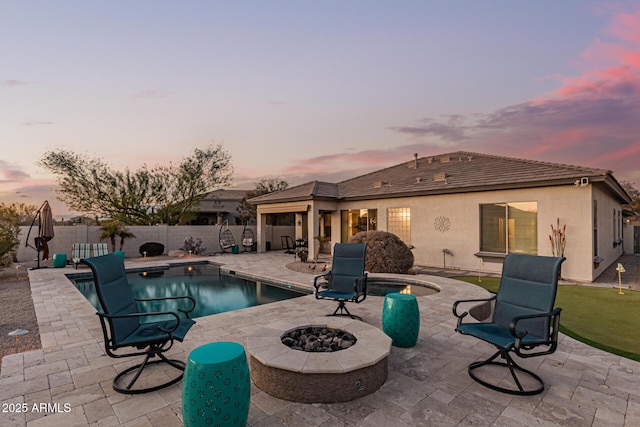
(122, 326)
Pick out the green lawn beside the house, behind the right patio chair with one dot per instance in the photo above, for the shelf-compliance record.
(599, 317)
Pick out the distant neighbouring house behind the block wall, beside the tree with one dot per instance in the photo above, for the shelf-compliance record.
(219, 206)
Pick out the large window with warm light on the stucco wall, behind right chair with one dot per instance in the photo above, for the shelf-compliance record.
(509, 227)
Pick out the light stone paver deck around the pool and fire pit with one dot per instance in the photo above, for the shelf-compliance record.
(427, 385)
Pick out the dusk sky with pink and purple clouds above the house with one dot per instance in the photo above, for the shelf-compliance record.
(315, 90)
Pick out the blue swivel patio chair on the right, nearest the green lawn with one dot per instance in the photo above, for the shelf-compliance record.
(523, 318)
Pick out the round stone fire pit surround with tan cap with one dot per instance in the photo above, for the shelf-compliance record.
(321, 377)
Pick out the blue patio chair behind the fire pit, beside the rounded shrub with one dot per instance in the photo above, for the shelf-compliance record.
(347, 280)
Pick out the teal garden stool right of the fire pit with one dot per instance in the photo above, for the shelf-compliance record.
(401, 319)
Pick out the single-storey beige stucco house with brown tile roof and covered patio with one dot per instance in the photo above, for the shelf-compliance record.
(467, 210)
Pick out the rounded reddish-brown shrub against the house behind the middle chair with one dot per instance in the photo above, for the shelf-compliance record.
(386, 253)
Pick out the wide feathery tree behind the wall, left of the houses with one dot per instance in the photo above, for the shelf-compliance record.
(165, 194)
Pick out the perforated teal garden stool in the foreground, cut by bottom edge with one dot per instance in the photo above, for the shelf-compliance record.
(216, 388)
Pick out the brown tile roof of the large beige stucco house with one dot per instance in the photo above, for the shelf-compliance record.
(455, 172)
